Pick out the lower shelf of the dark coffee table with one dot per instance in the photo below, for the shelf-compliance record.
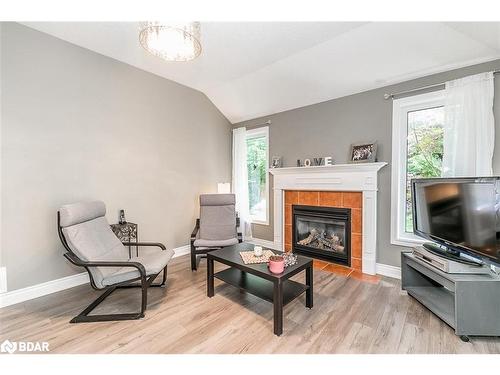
(260, 287)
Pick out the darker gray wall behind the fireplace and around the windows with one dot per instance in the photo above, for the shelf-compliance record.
(330, 127)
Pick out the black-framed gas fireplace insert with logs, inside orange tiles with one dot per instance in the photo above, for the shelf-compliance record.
(322, 232)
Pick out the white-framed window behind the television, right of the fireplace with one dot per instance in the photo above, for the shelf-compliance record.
(417, 152)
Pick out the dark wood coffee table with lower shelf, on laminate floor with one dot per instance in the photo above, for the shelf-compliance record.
(256, 279)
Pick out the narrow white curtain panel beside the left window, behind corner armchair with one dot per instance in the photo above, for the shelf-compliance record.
(240, 181)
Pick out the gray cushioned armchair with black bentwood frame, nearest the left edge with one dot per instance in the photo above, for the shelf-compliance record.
(91, 244)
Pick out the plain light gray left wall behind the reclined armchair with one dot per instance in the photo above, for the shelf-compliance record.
(80, 126)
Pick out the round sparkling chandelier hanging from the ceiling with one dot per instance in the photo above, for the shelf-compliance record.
(171, 41)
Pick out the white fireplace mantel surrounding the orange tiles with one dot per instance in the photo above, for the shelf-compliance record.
(340, 177)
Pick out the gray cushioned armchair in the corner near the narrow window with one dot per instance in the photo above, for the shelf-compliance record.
(217, 226)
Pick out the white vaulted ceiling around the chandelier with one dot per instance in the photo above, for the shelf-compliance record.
(250, 70)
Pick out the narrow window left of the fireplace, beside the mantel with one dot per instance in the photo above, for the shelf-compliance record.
(257, 163)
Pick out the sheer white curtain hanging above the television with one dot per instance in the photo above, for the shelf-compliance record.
(469, 126)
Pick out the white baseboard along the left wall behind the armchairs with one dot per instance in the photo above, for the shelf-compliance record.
(49, 287)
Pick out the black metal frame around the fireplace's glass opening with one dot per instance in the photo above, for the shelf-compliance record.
(337, 213)
